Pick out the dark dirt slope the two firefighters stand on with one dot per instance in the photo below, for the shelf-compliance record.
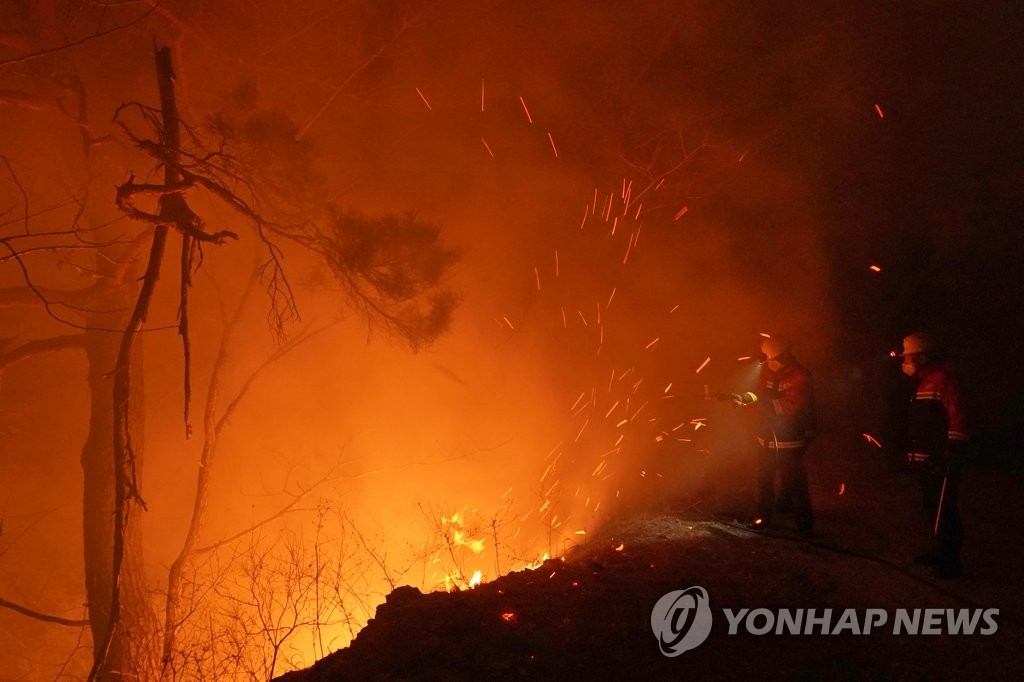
(589, 617)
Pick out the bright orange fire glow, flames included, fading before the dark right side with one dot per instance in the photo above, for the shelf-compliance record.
(449, 466)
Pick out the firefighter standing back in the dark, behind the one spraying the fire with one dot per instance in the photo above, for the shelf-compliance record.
(936, 440)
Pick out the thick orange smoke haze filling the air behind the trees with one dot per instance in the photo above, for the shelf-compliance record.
(637, 191)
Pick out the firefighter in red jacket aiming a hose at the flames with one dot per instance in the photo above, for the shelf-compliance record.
(785, 400)
